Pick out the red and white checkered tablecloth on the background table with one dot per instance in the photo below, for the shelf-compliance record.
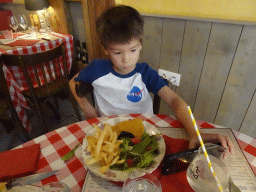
(14, 76)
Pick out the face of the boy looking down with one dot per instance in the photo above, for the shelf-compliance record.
(124, 56)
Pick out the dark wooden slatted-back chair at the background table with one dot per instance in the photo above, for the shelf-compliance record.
(57, 80)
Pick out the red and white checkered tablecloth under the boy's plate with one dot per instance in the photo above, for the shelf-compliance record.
(57, 143)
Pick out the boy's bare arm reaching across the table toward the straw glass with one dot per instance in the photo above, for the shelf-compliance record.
(180, 110)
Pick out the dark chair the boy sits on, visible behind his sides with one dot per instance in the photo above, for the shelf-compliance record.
(82, 89)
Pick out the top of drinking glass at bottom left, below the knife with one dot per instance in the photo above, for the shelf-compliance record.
(55, 187)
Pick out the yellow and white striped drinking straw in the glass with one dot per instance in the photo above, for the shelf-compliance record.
(204, 150)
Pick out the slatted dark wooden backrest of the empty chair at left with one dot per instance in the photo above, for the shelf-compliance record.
(47, 66)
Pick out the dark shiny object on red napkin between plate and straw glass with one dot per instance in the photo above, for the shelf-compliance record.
(179, 161)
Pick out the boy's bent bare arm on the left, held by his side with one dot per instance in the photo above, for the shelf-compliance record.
(88, 110)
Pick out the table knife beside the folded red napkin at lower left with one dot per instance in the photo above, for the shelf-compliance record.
(27, 180)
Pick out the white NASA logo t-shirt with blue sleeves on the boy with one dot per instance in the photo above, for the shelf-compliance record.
(117, 94)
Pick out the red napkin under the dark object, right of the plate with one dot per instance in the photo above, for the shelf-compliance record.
(173, 182)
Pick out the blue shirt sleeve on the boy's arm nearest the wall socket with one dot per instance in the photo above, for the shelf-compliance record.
(150, 77)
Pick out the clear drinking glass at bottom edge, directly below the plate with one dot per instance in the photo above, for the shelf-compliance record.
(146, 183)
